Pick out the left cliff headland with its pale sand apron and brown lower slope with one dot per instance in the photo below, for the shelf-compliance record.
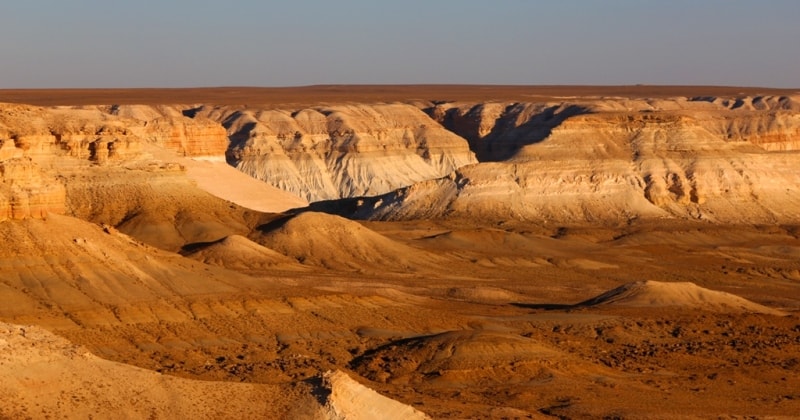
(124, 167)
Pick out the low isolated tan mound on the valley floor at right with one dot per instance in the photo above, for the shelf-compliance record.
(684, 294)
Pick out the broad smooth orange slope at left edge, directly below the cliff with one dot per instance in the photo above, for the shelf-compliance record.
(66, 270)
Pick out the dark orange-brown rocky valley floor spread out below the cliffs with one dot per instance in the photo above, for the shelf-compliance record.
(490, 330)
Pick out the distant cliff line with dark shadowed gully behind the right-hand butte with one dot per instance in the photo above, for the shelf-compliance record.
(497, 131)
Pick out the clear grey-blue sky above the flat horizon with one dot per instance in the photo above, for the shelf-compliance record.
(177, 43)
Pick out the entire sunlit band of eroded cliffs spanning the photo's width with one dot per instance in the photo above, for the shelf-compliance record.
(729, 160)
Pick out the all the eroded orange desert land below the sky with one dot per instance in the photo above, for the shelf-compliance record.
(400, 252)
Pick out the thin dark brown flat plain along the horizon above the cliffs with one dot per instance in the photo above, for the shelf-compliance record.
(320, 94)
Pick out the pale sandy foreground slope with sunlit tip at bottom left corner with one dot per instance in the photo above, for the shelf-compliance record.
(44, 375)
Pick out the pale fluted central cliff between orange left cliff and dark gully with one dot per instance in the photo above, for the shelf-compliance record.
(341, 151)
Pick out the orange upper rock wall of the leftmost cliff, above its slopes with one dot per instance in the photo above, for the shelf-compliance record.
(109, 133)
